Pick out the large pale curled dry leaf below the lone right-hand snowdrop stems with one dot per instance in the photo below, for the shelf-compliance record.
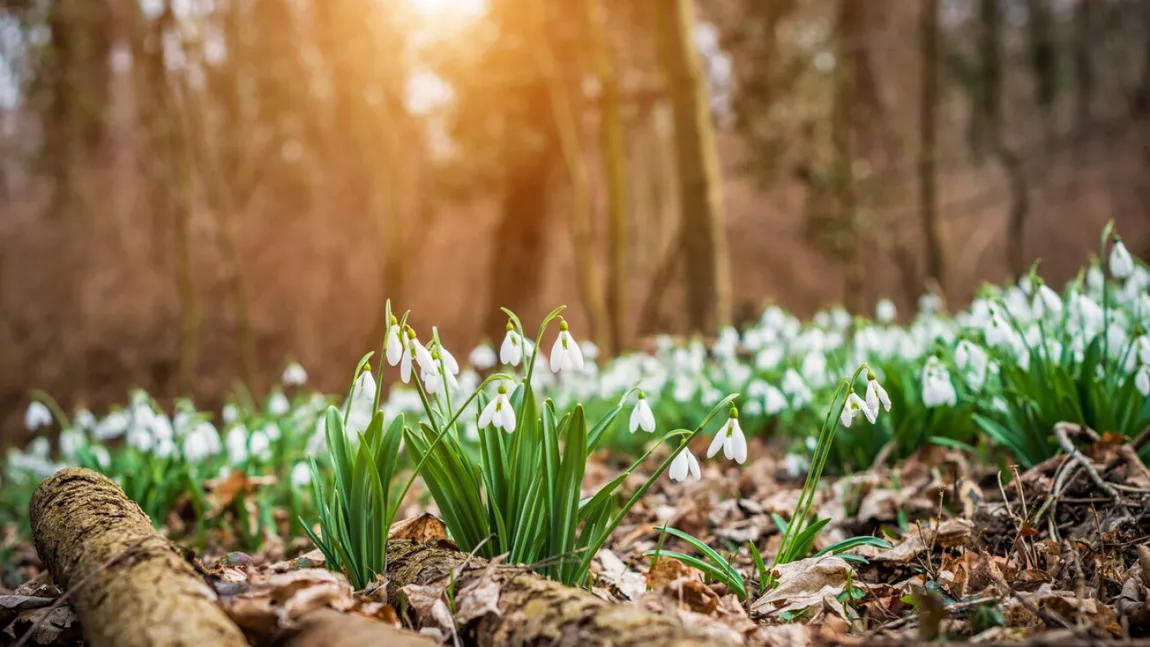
(807, 584)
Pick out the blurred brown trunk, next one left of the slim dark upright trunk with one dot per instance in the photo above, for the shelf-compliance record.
(842, 127)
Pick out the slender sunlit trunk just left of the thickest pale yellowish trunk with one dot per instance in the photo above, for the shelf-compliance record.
(615, 156)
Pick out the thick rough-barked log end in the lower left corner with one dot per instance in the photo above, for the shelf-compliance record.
(131, 587)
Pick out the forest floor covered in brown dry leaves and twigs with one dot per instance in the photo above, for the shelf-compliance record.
(1054, 556)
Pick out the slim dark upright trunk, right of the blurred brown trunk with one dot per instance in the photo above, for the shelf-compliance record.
(929, 153)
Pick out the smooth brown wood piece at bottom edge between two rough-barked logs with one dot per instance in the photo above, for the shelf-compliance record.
(329, 628)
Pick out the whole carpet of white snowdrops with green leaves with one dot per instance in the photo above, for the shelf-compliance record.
(519, 426)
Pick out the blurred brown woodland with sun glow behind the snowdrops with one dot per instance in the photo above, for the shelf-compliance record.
(194, 192)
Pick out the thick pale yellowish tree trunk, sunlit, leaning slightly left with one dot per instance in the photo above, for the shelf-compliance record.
(709, 301)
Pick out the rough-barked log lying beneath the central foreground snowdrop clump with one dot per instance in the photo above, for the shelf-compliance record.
(533, 611)
